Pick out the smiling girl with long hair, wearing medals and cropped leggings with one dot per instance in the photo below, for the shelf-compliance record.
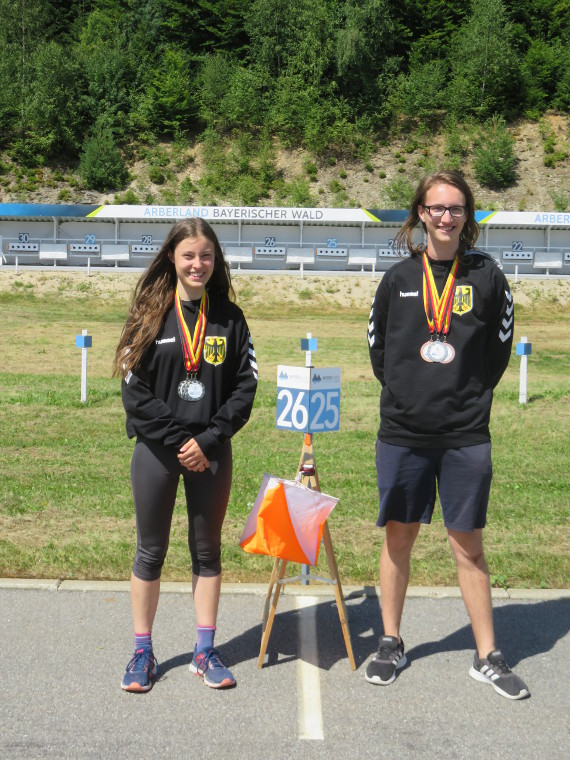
(189, 377)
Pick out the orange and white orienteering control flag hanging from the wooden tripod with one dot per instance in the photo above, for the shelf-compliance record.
(286, 521)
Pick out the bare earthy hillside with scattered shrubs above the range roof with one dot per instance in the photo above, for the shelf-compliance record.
(379, 182)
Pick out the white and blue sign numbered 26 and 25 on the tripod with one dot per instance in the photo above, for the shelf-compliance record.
(308, 399)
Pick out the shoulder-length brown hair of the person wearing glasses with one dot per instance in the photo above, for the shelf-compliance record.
(403, 242)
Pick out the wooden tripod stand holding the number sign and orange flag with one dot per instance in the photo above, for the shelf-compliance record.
(309, 477)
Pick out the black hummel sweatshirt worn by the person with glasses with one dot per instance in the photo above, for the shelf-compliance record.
(429, 404)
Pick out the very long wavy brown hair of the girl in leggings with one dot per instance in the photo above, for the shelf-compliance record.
(154, 293)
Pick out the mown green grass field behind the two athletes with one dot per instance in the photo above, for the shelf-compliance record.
(65, 499)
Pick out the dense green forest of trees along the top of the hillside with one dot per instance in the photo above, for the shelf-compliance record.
(80, 78)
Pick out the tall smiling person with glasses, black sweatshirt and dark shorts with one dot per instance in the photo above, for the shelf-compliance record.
(440, 335)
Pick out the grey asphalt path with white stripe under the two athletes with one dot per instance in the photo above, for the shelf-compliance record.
(66, 646)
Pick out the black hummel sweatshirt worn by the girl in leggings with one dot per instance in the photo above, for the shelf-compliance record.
(228, 371)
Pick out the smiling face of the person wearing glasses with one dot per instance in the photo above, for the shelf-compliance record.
(443, 232)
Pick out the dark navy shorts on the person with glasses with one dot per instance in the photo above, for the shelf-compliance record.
(407, 480)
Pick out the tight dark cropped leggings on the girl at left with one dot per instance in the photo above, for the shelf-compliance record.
(155, 474)
